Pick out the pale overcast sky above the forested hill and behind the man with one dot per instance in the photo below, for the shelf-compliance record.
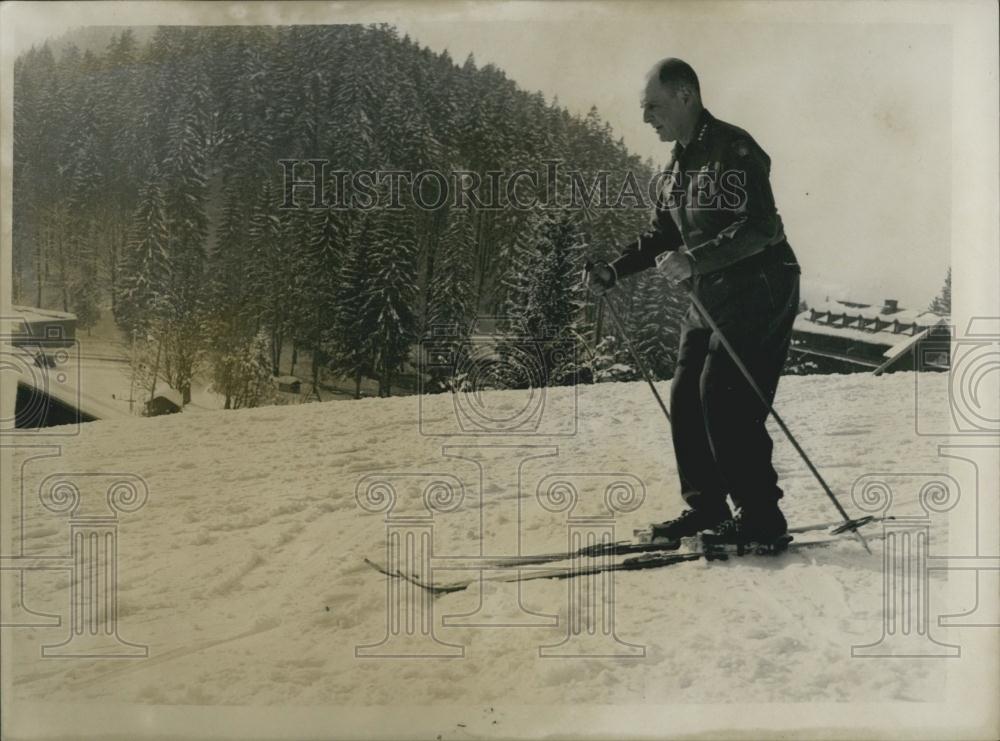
(856, 116)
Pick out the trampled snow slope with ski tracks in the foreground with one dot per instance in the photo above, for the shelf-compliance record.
(244, 575)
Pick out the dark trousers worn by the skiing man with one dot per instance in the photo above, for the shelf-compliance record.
(719, 431)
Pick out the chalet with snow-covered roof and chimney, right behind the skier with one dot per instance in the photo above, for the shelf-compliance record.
(852, 337)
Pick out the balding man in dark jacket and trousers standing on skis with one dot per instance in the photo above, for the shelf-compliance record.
(715, 230)
